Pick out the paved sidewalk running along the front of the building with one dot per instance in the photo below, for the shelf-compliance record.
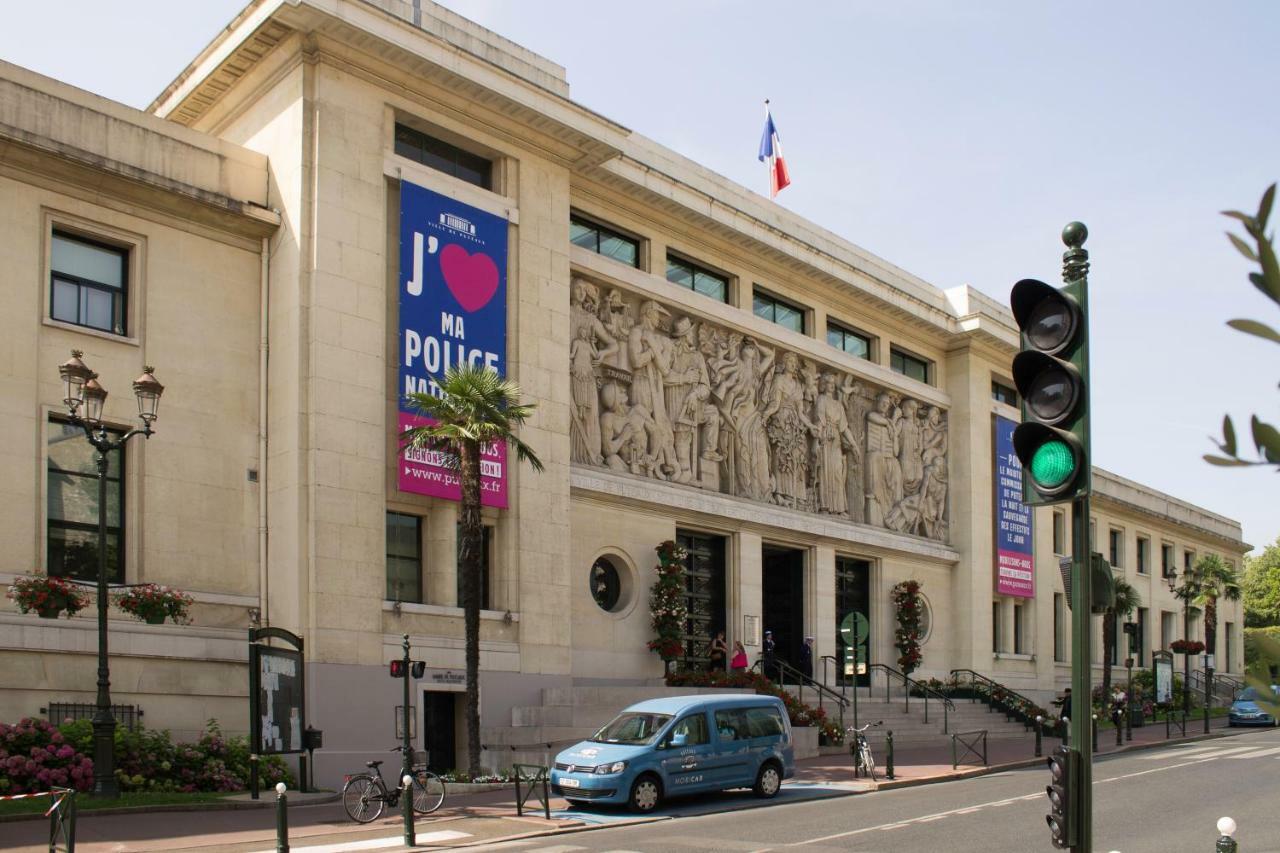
(491, 816)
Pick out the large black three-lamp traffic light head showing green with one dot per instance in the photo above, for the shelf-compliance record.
(1052, 373)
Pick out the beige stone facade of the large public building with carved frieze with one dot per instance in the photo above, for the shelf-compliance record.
(811, 422)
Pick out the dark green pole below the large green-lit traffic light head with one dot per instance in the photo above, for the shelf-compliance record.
(1082, 658)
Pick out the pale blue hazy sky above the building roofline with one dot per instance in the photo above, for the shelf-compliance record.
(953, 140)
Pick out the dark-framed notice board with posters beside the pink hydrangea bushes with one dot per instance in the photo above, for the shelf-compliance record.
(277, 694)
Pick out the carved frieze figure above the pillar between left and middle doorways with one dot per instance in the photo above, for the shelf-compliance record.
(748, 460)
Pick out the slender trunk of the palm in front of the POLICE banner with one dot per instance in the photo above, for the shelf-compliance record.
(472, 532)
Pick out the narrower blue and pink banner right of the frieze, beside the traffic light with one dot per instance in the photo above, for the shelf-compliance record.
(1016, 568)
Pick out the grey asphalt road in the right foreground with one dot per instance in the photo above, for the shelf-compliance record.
(1158, 801)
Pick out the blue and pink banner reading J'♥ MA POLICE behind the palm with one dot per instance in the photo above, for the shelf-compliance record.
(452, 311)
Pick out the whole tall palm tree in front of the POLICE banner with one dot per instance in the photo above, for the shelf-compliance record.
(476, 408)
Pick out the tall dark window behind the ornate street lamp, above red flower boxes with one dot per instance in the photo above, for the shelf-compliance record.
(74, 507)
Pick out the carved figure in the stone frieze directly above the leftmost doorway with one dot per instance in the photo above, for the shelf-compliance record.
(689, 405)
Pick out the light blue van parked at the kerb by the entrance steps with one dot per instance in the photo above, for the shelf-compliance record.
(680, 746)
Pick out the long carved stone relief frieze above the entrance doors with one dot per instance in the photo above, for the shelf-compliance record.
(675, 399)
